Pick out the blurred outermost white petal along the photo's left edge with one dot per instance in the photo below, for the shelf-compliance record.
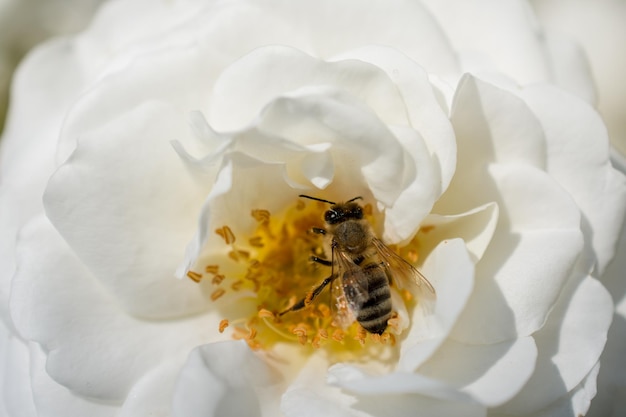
(28, 149)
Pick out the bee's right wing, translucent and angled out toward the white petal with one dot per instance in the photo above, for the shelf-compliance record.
(404, 275)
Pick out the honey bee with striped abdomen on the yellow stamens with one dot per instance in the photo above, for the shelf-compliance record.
(363, 269)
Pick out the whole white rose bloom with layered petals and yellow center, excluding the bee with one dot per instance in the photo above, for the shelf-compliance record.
(172, 139)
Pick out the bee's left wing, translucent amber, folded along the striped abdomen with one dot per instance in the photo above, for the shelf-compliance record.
(348, 290)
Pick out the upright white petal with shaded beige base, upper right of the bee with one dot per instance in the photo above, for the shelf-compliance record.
(492, 126)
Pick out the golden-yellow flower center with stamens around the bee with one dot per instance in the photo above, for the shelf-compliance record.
(276, 272)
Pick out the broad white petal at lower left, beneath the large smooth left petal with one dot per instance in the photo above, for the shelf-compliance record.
(93, 347)
